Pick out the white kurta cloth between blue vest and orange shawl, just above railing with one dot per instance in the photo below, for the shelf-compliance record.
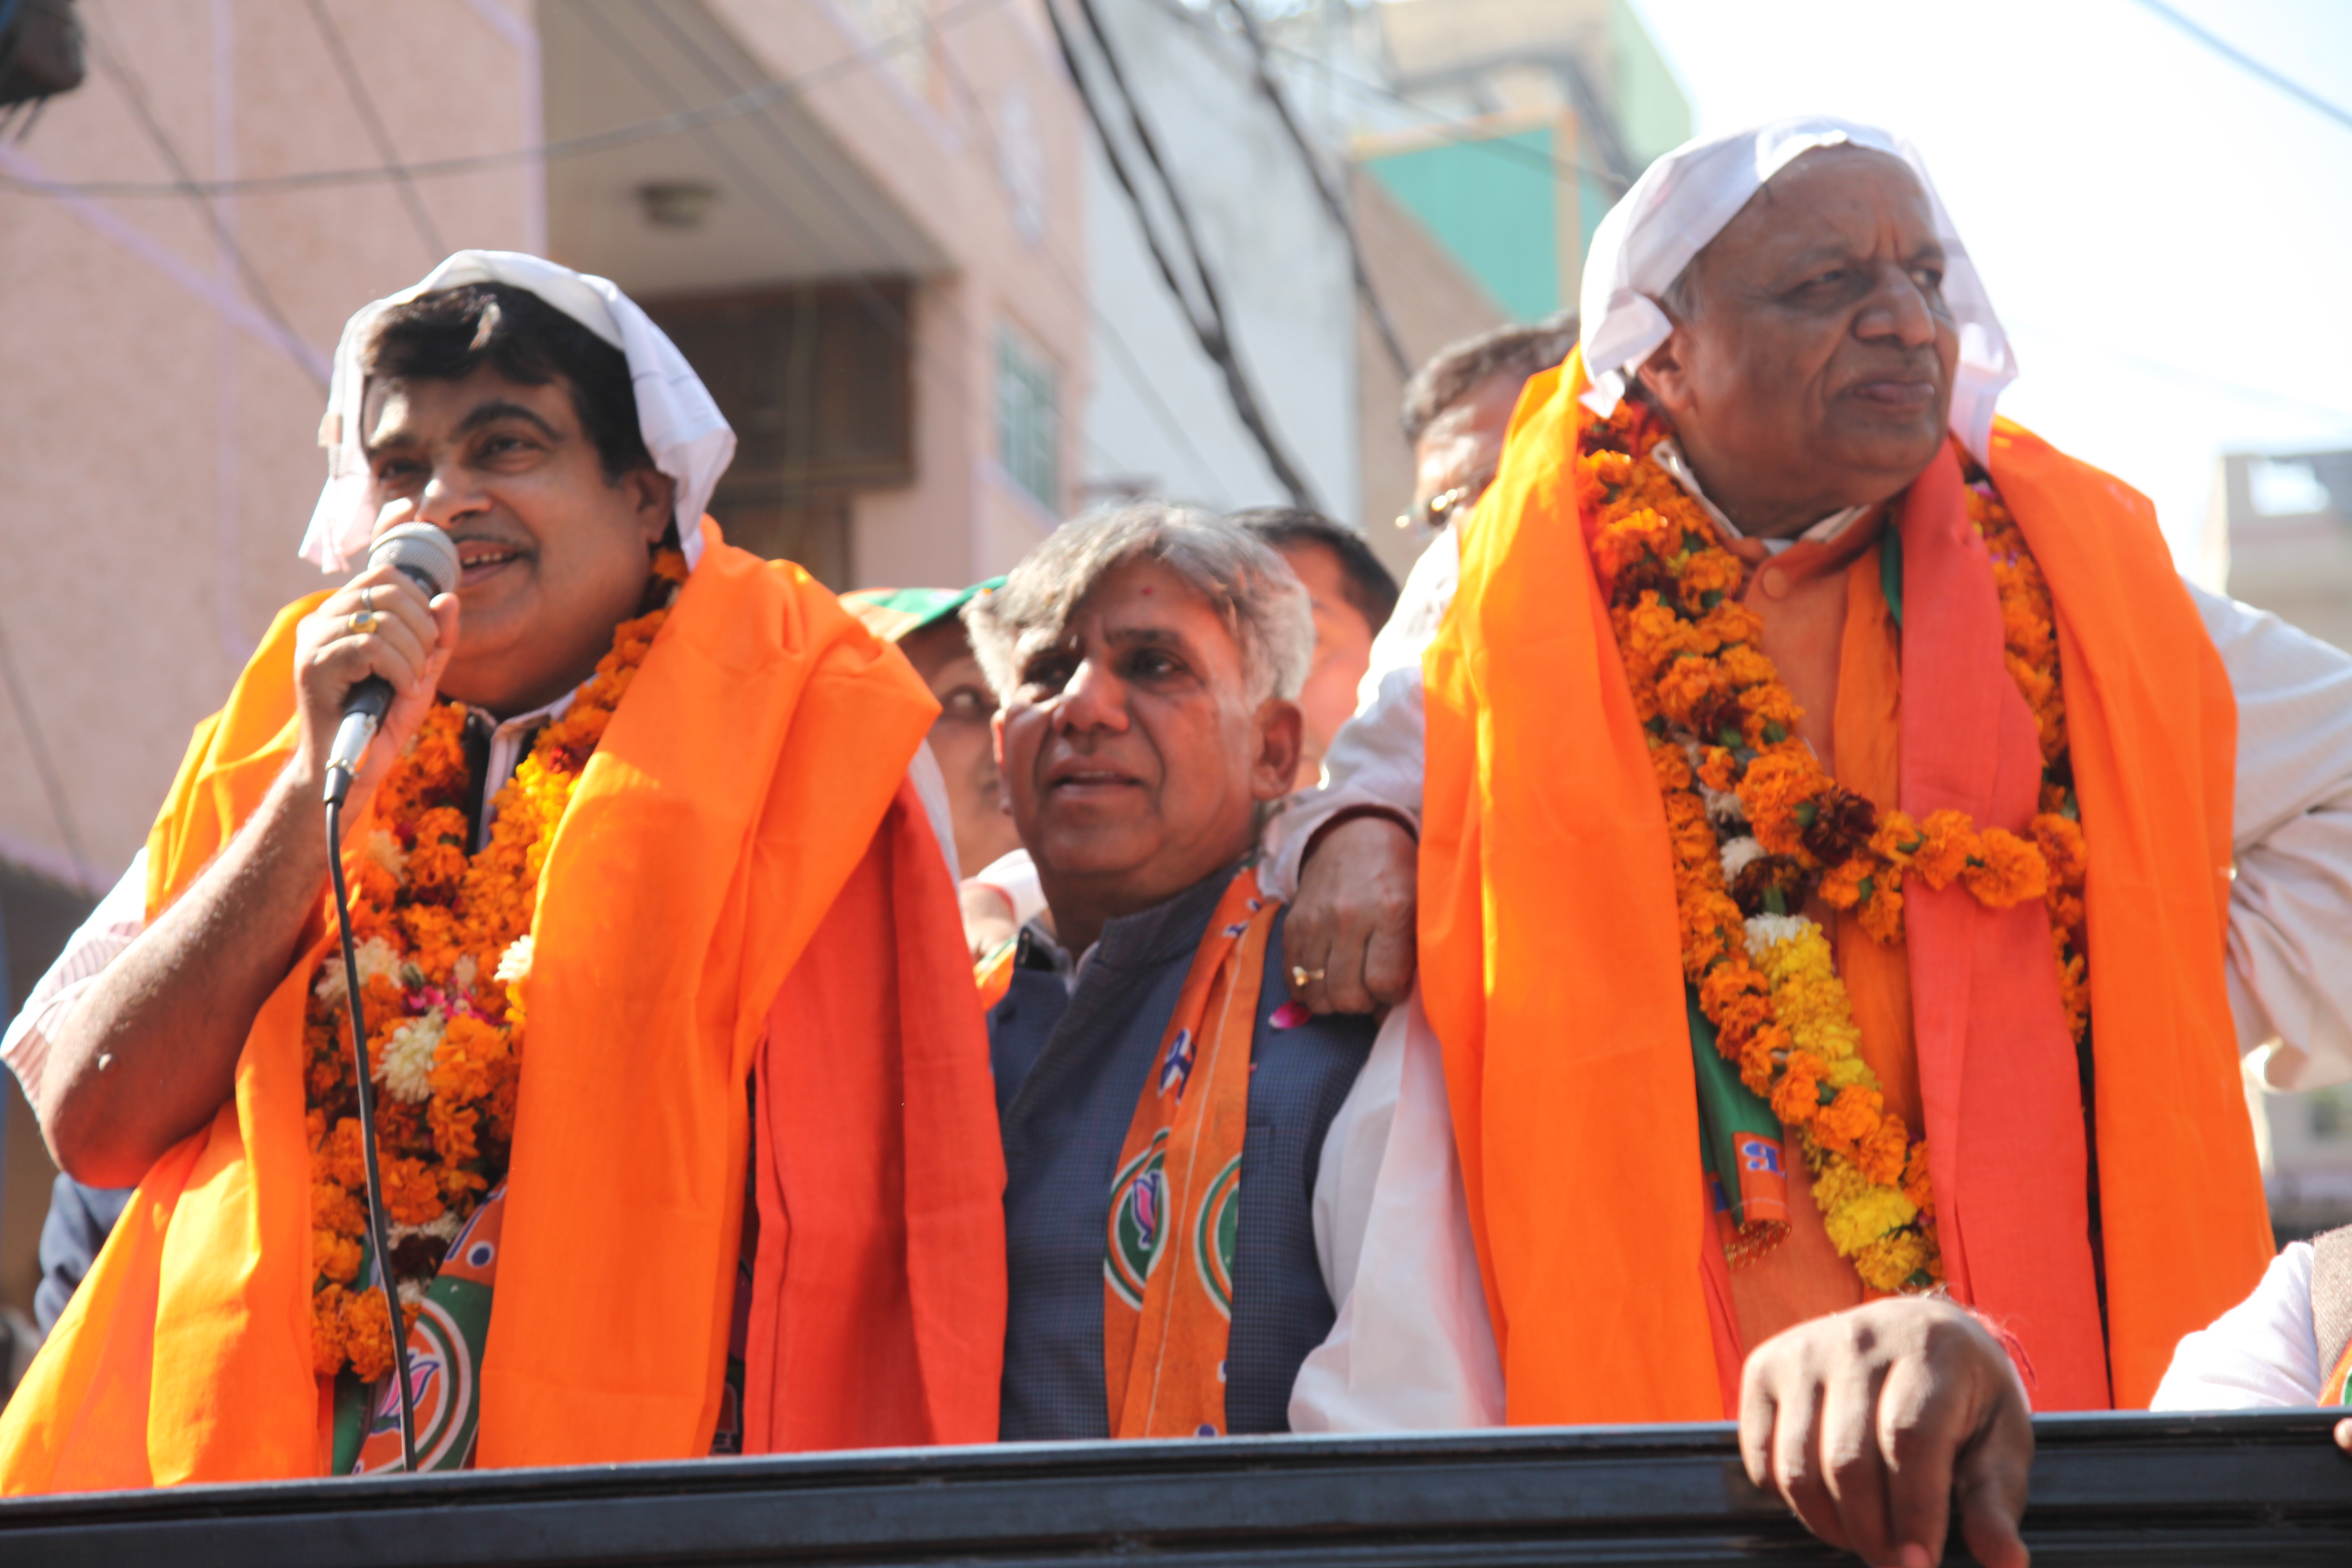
(1412, 1348)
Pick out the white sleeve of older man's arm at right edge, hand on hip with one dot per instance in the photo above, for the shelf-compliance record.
(2292, 829)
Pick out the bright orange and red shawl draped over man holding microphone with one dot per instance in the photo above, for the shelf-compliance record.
(742, 876)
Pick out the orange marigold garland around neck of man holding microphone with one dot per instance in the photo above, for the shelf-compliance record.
(443, 951)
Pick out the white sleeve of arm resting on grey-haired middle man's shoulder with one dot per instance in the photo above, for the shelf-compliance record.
(1375, 758)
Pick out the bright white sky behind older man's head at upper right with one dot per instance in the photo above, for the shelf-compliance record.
(2165, 236)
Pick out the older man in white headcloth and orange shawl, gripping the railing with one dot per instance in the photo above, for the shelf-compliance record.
(1850, 859)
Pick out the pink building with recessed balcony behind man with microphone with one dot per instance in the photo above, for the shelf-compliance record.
(864, 220)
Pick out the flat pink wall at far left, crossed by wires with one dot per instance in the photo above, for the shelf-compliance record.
(156, 431)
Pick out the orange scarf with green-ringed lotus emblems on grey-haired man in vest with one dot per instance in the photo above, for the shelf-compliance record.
(1175, 1205)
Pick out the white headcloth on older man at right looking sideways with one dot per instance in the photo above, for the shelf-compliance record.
(1692, 194)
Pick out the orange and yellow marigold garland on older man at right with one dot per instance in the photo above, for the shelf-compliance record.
(1758, 826)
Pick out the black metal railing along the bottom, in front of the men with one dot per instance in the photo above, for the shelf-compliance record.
(2109, 1489)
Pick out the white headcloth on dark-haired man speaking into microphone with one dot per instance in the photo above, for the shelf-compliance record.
(683, 427)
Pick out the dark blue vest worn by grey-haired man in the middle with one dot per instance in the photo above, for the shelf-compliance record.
(1069, 1076)
